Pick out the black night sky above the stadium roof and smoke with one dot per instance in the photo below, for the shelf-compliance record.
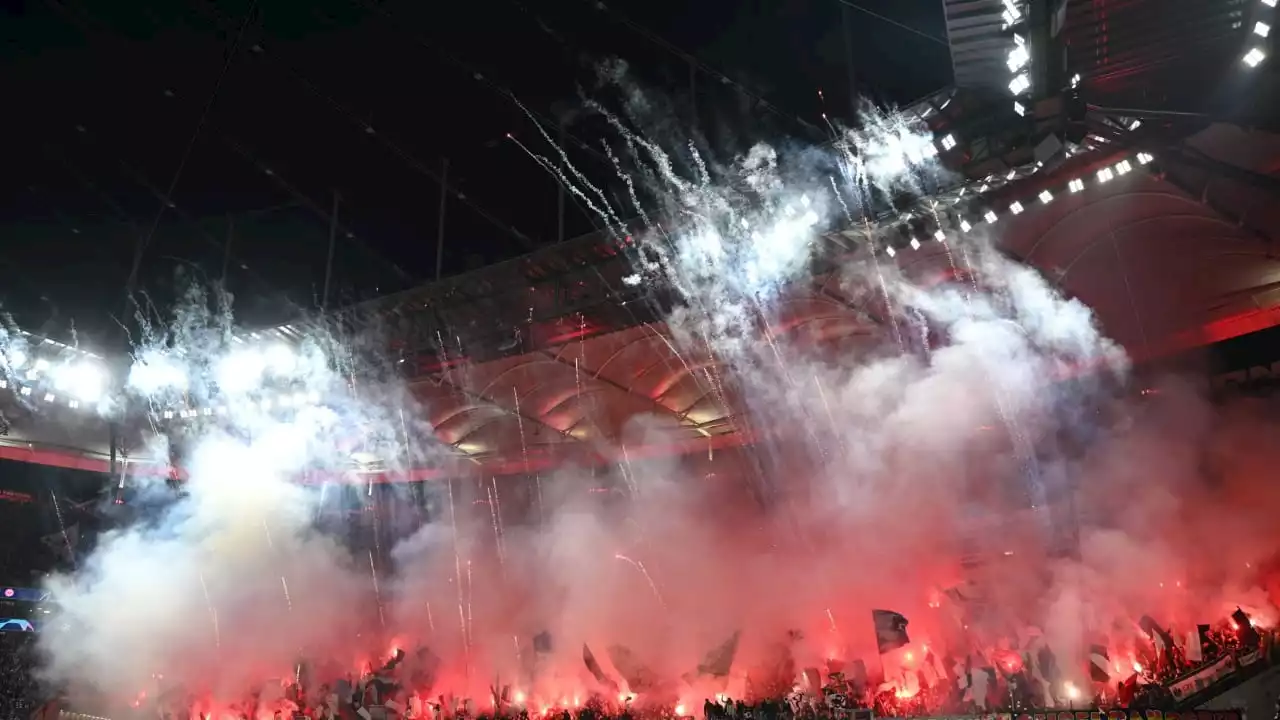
(214, 136)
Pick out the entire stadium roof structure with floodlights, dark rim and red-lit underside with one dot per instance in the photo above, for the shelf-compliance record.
(1156, 220)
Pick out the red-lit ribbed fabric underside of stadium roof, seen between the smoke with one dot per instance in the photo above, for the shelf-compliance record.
(1165, 270)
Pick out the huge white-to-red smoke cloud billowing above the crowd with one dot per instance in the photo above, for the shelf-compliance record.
(982, 434)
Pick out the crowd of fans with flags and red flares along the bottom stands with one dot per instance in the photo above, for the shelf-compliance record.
(1022, 689)
